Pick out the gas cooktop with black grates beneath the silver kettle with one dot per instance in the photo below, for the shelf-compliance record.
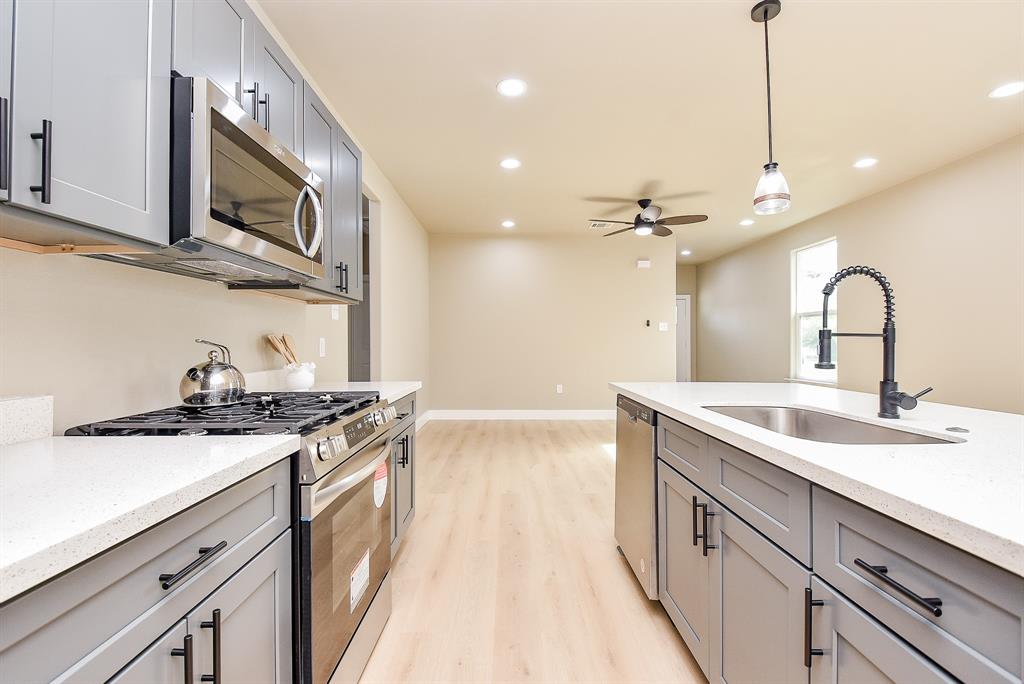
(259, 413)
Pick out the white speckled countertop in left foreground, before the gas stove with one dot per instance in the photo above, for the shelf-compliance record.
(65, 500)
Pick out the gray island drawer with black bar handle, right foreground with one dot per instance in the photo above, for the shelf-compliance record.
(978, 635)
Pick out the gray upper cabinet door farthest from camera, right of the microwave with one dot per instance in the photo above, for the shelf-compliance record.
(348, 223)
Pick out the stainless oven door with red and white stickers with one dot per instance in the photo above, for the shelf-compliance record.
(346, 553)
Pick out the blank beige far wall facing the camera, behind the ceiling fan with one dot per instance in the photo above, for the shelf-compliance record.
(515, 316)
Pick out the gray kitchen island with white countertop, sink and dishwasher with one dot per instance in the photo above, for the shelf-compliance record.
(778, 557)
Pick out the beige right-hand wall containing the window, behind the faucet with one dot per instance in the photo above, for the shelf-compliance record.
(952, 242)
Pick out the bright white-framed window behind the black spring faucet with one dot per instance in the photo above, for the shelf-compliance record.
(813, 267)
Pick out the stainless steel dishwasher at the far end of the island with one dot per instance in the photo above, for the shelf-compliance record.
(635, 529)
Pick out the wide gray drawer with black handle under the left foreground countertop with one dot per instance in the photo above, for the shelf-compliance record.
(93, 620)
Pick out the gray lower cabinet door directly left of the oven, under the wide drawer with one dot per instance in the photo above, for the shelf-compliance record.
(253, 614)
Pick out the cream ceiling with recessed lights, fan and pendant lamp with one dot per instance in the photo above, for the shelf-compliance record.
(632, 98)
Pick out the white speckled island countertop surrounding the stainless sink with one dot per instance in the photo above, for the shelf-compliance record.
(970, 495)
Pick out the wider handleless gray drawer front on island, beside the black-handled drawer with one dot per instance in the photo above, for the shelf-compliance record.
(777, 503)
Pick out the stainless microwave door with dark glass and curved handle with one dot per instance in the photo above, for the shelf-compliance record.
(249, 193)
